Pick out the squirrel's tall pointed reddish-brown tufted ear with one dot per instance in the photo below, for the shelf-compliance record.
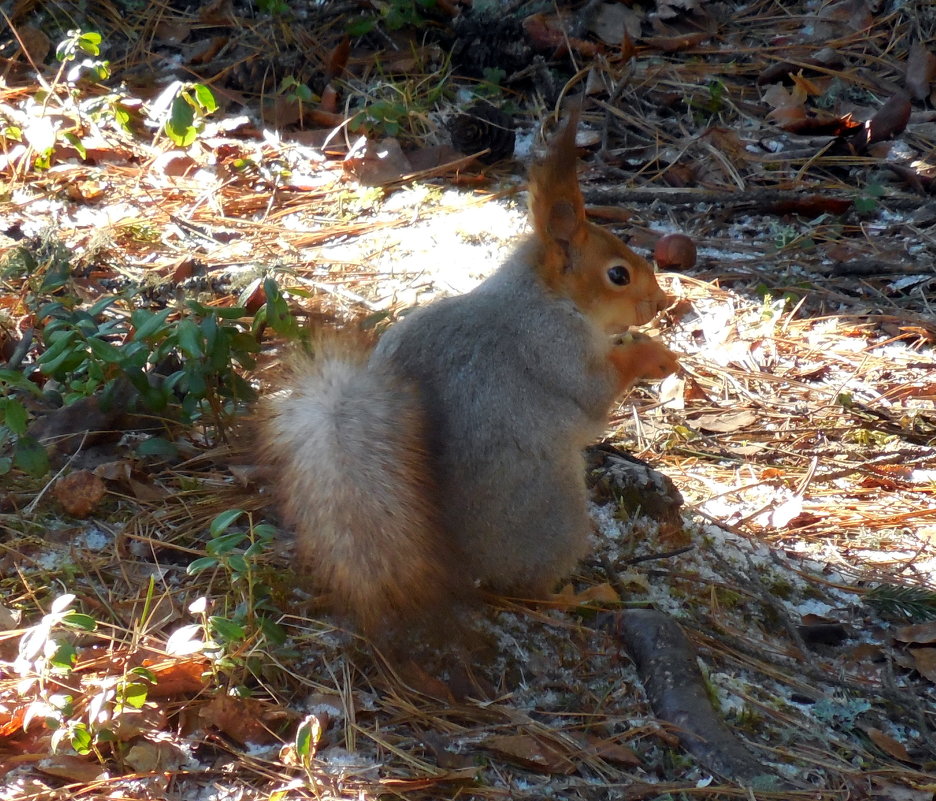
(556, 204)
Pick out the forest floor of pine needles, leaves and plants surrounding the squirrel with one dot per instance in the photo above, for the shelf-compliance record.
(166, 218)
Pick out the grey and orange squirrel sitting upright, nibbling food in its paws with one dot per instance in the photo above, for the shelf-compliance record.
(449, 458)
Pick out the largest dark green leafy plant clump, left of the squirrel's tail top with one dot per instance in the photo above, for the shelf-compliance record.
(183, 362)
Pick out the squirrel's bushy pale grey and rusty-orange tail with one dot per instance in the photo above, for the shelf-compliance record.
(353, 478)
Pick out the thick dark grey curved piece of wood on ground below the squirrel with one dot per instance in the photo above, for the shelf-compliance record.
(666, 662)
